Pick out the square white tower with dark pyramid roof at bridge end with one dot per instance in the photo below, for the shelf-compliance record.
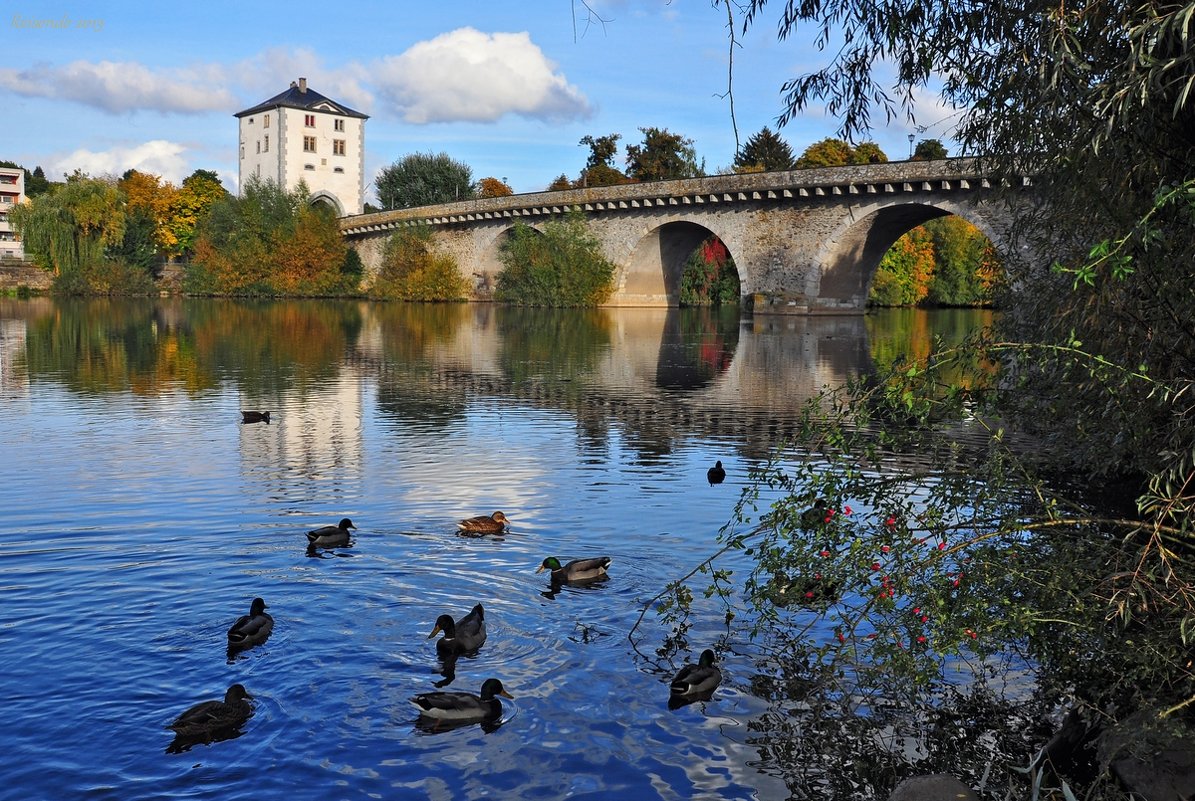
(303, 136)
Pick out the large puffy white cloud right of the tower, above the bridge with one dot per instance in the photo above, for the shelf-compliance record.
(475, 77)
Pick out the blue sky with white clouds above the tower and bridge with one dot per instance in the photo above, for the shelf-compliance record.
(507, 88)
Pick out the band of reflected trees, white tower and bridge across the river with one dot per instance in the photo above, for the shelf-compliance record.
(675, 374)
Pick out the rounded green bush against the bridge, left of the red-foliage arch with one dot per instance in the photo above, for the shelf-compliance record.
(561, 267)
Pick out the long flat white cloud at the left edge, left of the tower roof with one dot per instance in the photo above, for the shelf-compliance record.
(119, 87)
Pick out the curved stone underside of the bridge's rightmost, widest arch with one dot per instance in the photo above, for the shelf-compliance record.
(853, 253)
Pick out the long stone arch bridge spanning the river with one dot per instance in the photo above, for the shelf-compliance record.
(804, 241)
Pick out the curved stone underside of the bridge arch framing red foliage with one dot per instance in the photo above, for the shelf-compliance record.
(652, 273)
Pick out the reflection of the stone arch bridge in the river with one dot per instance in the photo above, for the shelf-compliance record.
(661, 376)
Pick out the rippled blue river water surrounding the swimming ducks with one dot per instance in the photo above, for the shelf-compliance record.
(143, 517)
